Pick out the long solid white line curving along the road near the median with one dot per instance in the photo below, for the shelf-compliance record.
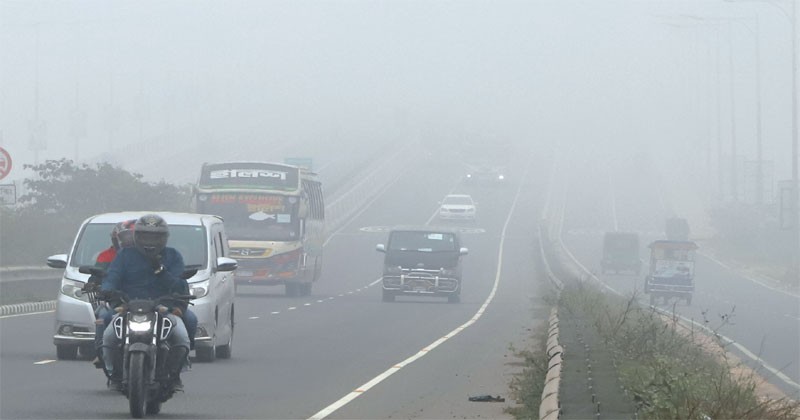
(325, 412)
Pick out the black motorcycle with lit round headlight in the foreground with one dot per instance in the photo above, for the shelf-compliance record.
(143, 329)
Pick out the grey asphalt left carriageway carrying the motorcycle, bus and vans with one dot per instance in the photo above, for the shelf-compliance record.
(312, 357)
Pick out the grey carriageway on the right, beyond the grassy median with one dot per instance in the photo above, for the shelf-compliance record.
(762, 321)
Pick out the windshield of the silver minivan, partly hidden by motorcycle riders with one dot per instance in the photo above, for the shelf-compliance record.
(190, 241)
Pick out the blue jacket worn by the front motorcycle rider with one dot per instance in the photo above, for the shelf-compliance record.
(132, 273)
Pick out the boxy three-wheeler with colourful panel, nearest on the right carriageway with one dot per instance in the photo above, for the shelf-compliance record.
(671, 271)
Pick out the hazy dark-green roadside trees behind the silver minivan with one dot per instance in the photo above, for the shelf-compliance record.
(63, 194)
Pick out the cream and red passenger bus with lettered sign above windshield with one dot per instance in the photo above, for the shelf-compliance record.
(274, 214)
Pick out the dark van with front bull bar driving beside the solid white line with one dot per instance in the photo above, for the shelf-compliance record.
(422, 261)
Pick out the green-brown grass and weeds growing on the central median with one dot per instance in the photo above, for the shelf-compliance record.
(669, 371)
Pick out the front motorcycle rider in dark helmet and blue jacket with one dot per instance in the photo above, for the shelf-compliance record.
(148, 270)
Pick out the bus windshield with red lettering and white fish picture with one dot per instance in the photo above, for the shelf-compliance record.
(255, 217)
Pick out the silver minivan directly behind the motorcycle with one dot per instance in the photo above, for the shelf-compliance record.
(202, 241)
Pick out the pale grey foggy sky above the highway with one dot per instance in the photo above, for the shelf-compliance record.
(620, 78)
